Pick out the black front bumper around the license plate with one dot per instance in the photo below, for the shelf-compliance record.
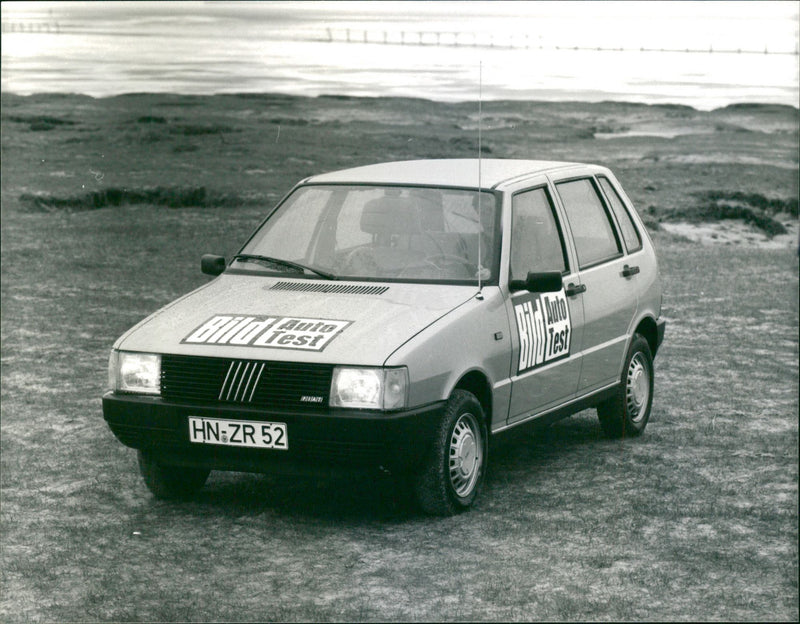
(318, 441)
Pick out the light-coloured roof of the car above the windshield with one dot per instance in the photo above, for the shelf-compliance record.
(455, 172)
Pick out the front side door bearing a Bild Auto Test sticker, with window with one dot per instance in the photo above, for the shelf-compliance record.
(546, 327)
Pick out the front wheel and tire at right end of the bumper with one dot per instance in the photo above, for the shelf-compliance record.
(456, 463)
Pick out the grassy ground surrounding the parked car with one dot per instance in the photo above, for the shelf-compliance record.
(696, 520)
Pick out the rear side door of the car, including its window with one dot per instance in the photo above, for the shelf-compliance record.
(609, 290)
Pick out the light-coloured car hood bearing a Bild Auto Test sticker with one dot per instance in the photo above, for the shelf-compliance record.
(258, 317)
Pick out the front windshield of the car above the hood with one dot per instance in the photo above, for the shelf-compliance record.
(380, 233)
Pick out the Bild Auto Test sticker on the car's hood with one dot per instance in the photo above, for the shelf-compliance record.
(275, 332)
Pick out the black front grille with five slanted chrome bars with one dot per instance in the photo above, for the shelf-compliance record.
(255, 383)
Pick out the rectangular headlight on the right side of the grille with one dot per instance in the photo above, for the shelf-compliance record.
(371, 388)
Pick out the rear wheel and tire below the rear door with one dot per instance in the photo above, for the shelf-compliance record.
(627, 413)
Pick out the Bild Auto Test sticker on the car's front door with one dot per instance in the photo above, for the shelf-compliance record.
(545, 329)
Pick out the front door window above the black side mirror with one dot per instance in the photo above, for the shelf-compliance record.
(536, 242)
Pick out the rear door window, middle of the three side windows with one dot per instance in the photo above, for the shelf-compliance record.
(595, 239)
